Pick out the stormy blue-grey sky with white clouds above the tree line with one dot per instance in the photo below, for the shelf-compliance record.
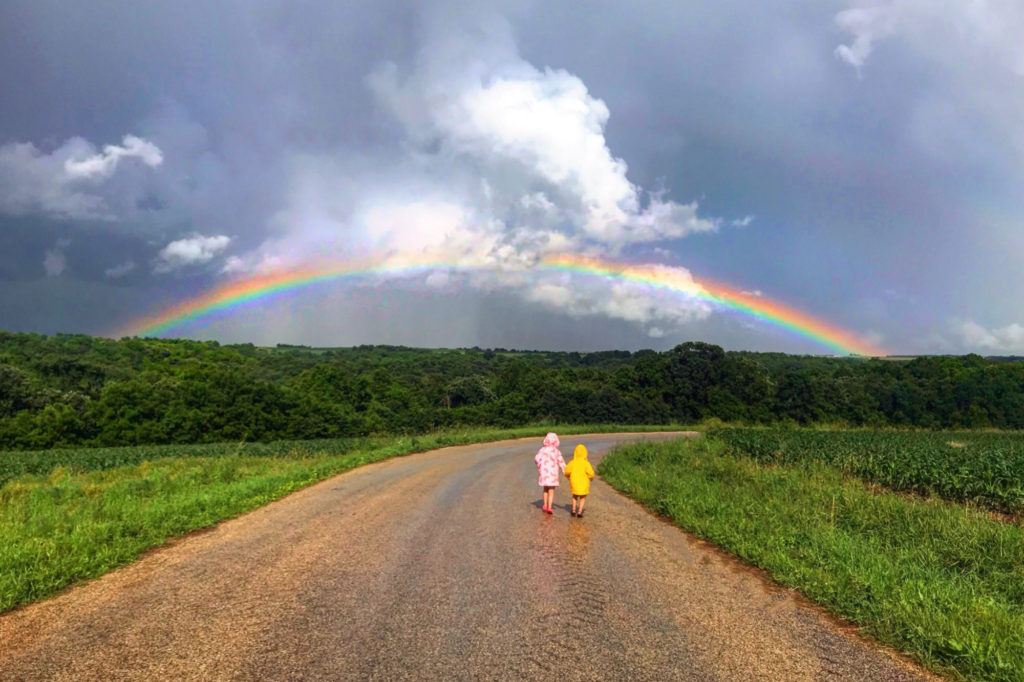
(860, 161)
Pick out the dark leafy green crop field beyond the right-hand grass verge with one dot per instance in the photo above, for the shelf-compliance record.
(985, 467)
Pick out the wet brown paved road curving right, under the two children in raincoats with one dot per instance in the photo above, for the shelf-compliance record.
(438, 567)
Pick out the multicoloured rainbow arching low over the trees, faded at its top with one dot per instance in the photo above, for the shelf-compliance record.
(236, 294)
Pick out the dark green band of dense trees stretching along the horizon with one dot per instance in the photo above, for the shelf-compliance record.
(69, 391)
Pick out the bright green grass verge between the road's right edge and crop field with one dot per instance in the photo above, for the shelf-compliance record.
(937, 580)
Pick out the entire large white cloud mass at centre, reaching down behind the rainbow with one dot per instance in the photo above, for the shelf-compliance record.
(499, 164)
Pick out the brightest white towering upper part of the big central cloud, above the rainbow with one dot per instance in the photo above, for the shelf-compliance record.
(527, 129)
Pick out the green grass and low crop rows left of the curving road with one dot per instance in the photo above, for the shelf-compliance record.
(69, 516)
